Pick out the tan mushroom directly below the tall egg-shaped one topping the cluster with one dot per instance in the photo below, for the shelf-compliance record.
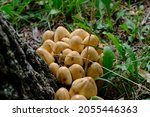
(59, 47)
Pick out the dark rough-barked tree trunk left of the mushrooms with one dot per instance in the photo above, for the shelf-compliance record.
(23, 75)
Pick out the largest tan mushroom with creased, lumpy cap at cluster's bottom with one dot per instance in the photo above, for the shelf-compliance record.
(84, 86)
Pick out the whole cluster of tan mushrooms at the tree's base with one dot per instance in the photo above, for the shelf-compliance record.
(75, 59)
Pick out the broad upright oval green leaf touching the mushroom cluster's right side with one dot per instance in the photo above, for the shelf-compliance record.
(108, 58)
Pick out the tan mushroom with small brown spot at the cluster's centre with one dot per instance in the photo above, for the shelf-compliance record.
(73, 58)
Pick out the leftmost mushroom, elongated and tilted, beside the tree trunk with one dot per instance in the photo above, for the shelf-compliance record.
(45, 55)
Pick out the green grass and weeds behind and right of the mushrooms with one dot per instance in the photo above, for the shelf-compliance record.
(120, 27)
